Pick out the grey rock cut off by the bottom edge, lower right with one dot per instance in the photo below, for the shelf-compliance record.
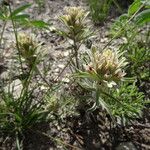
(126, 146)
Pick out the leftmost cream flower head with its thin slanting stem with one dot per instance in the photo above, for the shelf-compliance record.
(29, 51)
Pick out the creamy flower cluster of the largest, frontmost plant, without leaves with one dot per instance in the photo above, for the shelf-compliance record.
(108, 65)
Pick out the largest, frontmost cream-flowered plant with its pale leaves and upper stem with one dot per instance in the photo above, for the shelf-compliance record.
(103, 72)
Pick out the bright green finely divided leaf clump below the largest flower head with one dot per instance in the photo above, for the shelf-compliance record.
(131, 102)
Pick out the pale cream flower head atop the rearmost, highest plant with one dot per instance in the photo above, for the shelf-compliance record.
(74, 20)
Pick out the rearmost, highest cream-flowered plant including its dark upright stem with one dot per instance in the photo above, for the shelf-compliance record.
(75, 29)
